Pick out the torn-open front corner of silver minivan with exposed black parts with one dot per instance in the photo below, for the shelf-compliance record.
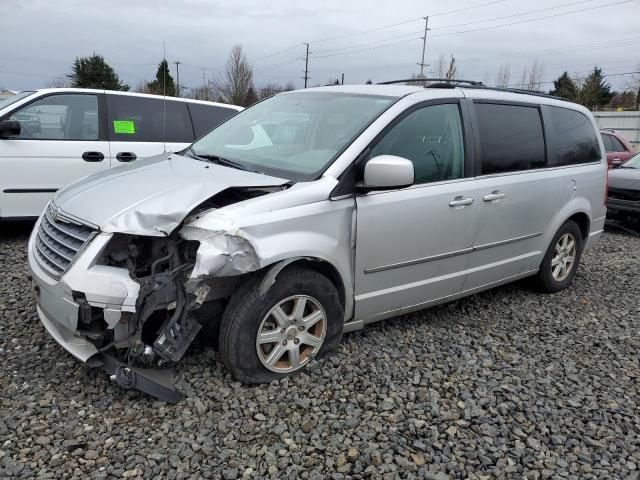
(141, 349)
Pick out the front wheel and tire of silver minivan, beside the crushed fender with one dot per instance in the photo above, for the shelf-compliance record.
(249, 313)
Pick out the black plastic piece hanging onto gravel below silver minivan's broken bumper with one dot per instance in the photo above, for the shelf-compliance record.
(157, 383)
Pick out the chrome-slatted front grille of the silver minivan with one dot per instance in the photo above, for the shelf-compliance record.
(58, 241)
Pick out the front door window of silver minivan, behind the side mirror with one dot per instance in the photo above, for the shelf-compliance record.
(432, 139)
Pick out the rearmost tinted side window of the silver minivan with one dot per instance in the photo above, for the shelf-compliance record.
(572, 138)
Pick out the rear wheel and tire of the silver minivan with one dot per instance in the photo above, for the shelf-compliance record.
(549, 278)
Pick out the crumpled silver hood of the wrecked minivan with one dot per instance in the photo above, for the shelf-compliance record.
(151, 196)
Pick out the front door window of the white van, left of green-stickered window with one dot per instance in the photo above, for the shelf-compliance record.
(59, 117)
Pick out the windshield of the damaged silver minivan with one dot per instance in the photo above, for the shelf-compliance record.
(293, 135)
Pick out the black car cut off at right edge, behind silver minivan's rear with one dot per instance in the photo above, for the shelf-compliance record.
(623, 197)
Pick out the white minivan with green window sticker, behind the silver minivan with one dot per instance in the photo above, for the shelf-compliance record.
(52, 137)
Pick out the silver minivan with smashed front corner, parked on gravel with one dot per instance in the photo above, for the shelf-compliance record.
(366, 202)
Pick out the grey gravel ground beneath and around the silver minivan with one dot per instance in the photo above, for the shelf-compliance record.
(506, 384)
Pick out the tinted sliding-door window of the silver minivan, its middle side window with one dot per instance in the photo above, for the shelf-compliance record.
(511, 138)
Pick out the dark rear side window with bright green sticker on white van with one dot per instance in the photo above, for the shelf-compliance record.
(139, 119)
